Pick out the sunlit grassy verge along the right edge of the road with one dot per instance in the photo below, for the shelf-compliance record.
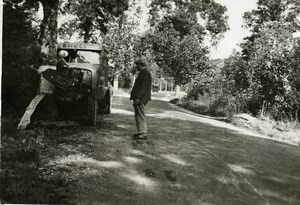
(284, 131)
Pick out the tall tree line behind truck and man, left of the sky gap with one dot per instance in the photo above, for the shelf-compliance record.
(174, 45)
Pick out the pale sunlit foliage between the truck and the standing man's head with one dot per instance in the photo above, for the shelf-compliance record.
(124, 45)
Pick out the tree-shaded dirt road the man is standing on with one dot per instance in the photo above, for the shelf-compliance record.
(187, 160)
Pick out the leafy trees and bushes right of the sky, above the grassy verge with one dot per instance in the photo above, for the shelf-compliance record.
(264, 77)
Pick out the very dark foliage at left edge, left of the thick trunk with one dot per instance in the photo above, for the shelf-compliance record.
(20, 55)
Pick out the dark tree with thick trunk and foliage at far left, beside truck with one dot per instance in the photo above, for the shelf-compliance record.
(26, 47)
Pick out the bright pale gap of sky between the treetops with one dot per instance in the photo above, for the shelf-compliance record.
(235, 11)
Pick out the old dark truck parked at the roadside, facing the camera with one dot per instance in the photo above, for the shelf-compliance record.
(84, 91)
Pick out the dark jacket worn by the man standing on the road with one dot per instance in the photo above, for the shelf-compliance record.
(142, 86)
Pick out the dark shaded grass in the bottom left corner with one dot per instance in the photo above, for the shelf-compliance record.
(21, 177)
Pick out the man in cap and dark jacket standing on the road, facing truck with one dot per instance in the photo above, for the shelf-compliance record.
(141, 94)
